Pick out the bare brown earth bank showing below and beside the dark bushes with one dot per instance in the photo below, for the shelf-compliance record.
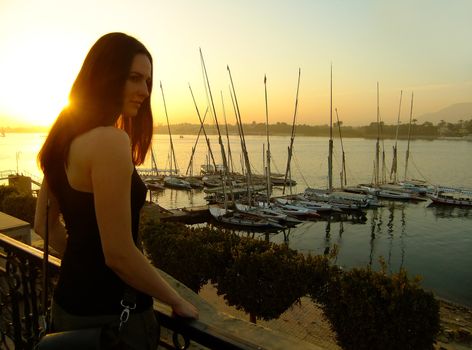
(306, 321)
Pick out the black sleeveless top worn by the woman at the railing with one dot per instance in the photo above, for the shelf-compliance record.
(86, 285)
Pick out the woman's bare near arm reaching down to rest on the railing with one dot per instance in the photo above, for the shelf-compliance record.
(111, 171)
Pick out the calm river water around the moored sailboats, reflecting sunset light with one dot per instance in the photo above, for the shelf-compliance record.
(431, 241)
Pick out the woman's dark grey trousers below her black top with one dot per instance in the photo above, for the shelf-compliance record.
(141, 332)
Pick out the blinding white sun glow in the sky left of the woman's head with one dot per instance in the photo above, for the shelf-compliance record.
(36, 78)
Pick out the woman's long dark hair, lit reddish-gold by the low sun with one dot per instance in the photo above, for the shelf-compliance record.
(96, 99)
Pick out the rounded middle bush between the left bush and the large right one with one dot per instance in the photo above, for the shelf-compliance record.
(264, 279)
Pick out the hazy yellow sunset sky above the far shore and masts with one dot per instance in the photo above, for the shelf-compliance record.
(420, 46)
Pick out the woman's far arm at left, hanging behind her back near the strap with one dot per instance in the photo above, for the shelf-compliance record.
(57, 232)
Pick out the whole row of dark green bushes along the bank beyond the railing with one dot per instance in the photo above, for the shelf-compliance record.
(367, 309)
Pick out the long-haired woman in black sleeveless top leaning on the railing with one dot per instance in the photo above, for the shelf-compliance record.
(89, 160)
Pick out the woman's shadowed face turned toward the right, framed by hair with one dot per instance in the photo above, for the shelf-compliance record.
(136, 86)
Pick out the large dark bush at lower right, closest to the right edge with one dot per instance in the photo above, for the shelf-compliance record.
(370, 310)
